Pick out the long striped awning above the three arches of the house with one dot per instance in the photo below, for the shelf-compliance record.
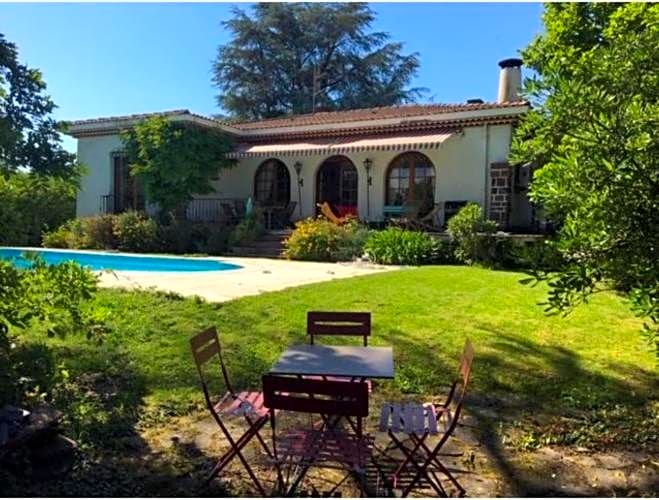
(342, 145)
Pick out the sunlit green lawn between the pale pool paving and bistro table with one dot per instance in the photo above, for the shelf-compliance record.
(594, 354)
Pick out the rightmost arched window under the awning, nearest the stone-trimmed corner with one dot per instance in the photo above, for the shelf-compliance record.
(411, 181)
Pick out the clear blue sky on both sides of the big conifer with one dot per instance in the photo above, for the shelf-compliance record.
(114, 59)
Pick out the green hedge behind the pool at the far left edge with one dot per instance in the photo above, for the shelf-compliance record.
(31, 204)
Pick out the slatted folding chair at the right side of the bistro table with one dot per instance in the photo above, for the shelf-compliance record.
(419, 422)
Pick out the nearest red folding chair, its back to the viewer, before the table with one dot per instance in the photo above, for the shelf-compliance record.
(327, 445)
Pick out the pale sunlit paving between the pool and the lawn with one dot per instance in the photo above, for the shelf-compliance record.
(254, 277)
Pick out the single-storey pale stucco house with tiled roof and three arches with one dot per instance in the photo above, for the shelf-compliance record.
(367, 162)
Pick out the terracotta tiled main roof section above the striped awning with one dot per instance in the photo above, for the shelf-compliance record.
(405, 111)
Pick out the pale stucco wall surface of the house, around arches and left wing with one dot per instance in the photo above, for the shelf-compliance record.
(460, 168)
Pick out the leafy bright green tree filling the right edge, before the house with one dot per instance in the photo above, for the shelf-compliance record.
(593, 131)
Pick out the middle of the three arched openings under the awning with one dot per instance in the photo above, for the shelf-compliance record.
(336, 184)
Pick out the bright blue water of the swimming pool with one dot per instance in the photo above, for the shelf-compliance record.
(98, 261)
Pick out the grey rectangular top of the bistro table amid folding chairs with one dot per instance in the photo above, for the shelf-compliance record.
(336, 361)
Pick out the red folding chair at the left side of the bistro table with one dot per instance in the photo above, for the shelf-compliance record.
(248, 405)
